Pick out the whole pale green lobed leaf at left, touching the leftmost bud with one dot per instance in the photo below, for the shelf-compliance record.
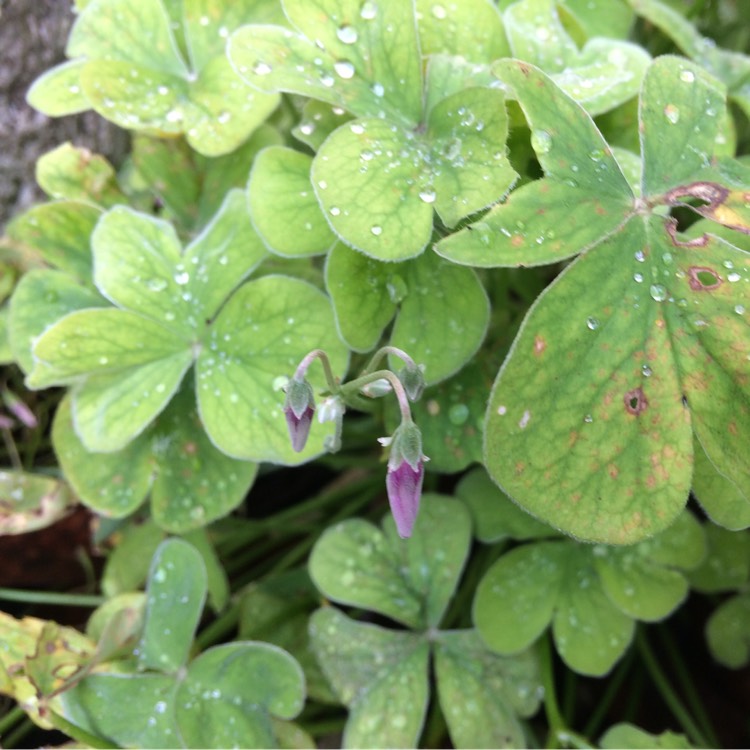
(129, 360)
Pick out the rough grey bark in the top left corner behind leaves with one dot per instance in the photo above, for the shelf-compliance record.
(33, 34)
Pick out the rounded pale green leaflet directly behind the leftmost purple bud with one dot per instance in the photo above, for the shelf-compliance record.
(262, 333)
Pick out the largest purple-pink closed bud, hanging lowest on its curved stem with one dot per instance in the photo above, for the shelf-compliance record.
(404, 478)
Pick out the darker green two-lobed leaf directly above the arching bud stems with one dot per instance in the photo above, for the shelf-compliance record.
(441, 310)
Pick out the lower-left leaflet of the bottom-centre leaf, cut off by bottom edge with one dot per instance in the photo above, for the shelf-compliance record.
(381, 675)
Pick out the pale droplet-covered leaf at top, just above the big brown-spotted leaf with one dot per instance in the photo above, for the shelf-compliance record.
(605, 73)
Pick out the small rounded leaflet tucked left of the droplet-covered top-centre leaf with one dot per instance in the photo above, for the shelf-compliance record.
(283, 206)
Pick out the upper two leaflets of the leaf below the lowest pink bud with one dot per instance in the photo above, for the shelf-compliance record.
(355, 563)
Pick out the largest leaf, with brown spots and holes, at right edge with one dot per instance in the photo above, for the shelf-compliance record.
(601, 410)
